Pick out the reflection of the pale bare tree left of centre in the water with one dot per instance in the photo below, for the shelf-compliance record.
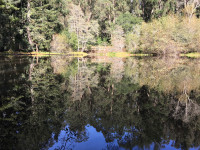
(83, 80)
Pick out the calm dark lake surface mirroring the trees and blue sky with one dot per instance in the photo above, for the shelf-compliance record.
(99, 103)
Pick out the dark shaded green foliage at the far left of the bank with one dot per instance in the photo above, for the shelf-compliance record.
(12, 31)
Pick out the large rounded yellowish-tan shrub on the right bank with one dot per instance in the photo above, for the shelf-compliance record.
(169, 35)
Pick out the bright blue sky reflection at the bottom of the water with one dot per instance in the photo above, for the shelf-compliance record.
(97, 141)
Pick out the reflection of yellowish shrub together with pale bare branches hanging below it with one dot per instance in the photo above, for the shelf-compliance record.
(177, 77)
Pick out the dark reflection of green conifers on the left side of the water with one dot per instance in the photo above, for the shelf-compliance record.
(34, 101)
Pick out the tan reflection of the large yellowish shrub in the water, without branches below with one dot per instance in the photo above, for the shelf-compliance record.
(164, 74)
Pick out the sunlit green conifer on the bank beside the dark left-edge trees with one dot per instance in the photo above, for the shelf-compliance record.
(43, 22)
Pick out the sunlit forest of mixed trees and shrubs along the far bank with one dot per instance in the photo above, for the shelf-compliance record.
(137, 26)
